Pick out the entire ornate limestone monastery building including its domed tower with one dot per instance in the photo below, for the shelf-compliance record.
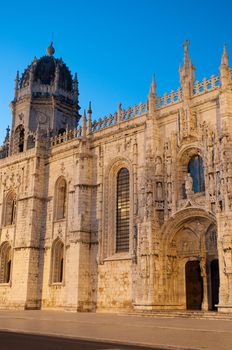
(129, 212)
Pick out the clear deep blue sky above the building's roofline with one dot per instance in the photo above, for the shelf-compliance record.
(114, 45)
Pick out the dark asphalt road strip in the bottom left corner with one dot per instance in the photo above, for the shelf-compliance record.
(18, 341)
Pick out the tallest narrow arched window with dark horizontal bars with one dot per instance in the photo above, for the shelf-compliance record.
(123, 211)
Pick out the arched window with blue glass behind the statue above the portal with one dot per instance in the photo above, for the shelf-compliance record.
(196, 170)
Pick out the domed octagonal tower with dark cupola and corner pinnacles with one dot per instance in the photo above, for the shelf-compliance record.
(45, 97)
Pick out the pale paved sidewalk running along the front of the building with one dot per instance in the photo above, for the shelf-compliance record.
(169, 333)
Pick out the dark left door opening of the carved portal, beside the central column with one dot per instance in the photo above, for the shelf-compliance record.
(194, 285)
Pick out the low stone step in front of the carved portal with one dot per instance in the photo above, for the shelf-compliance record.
(207, 315)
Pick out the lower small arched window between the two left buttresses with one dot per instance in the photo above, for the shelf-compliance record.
(57, 261)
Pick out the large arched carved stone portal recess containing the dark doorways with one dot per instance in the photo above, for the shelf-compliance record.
(192, 278)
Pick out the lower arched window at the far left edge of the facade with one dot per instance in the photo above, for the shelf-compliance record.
(5, 262)
